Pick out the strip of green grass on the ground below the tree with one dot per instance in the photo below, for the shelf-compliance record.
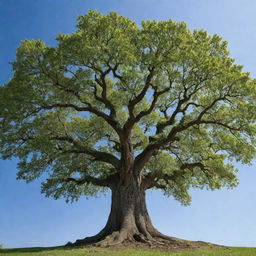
(58, 251)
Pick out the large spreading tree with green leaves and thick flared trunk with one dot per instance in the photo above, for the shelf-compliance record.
(128, 108)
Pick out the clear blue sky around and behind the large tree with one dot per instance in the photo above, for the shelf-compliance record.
(27, 218)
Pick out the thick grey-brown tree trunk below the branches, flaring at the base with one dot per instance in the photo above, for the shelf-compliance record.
(128, 218)
